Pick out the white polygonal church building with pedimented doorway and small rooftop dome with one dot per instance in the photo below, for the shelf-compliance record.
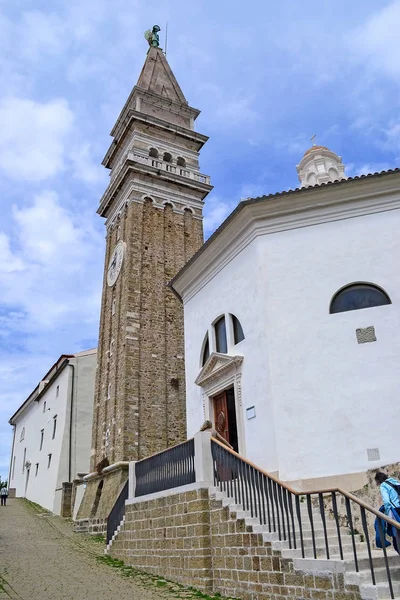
(291, 320)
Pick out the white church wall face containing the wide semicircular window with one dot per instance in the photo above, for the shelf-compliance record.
(333, 398)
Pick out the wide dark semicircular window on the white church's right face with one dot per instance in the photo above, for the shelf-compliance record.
(357, 296)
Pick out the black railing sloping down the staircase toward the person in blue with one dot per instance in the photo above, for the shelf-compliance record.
(279, 508)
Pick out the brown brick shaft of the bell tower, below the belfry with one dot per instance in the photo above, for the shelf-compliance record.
(140, 393)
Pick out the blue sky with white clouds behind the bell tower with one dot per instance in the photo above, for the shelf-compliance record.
(266, 75)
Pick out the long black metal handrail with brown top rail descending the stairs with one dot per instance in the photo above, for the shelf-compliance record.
(277, 506)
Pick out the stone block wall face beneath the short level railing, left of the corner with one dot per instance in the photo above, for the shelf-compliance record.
(169, 536)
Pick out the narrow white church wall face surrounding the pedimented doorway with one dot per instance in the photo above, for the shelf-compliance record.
(235, 290)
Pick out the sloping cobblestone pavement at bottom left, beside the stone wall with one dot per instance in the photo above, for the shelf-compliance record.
(42, 559)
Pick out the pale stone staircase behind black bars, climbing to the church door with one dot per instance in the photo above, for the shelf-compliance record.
(321, 564)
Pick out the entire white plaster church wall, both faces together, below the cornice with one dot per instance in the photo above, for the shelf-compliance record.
(322, 400)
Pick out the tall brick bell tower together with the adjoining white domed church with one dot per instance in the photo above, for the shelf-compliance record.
(279, 329)
